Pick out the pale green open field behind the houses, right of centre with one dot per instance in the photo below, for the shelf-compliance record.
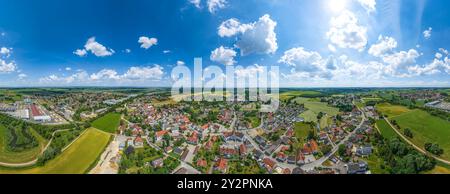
(314, 107)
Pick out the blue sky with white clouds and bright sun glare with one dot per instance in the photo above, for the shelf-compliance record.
(315, 43)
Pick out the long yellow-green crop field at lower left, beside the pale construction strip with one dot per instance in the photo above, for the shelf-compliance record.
(77, 159)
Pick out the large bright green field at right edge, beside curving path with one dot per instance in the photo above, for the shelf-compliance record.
(427, 128)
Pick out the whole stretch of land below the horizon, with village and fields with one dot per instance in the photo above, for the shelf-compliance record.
(138, 130)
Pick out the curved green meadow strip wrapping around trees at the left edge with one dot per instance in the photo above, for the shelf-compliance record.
(19, 157)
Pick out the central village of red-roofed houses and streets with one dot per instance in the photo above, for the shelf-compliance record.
(222, 140)
